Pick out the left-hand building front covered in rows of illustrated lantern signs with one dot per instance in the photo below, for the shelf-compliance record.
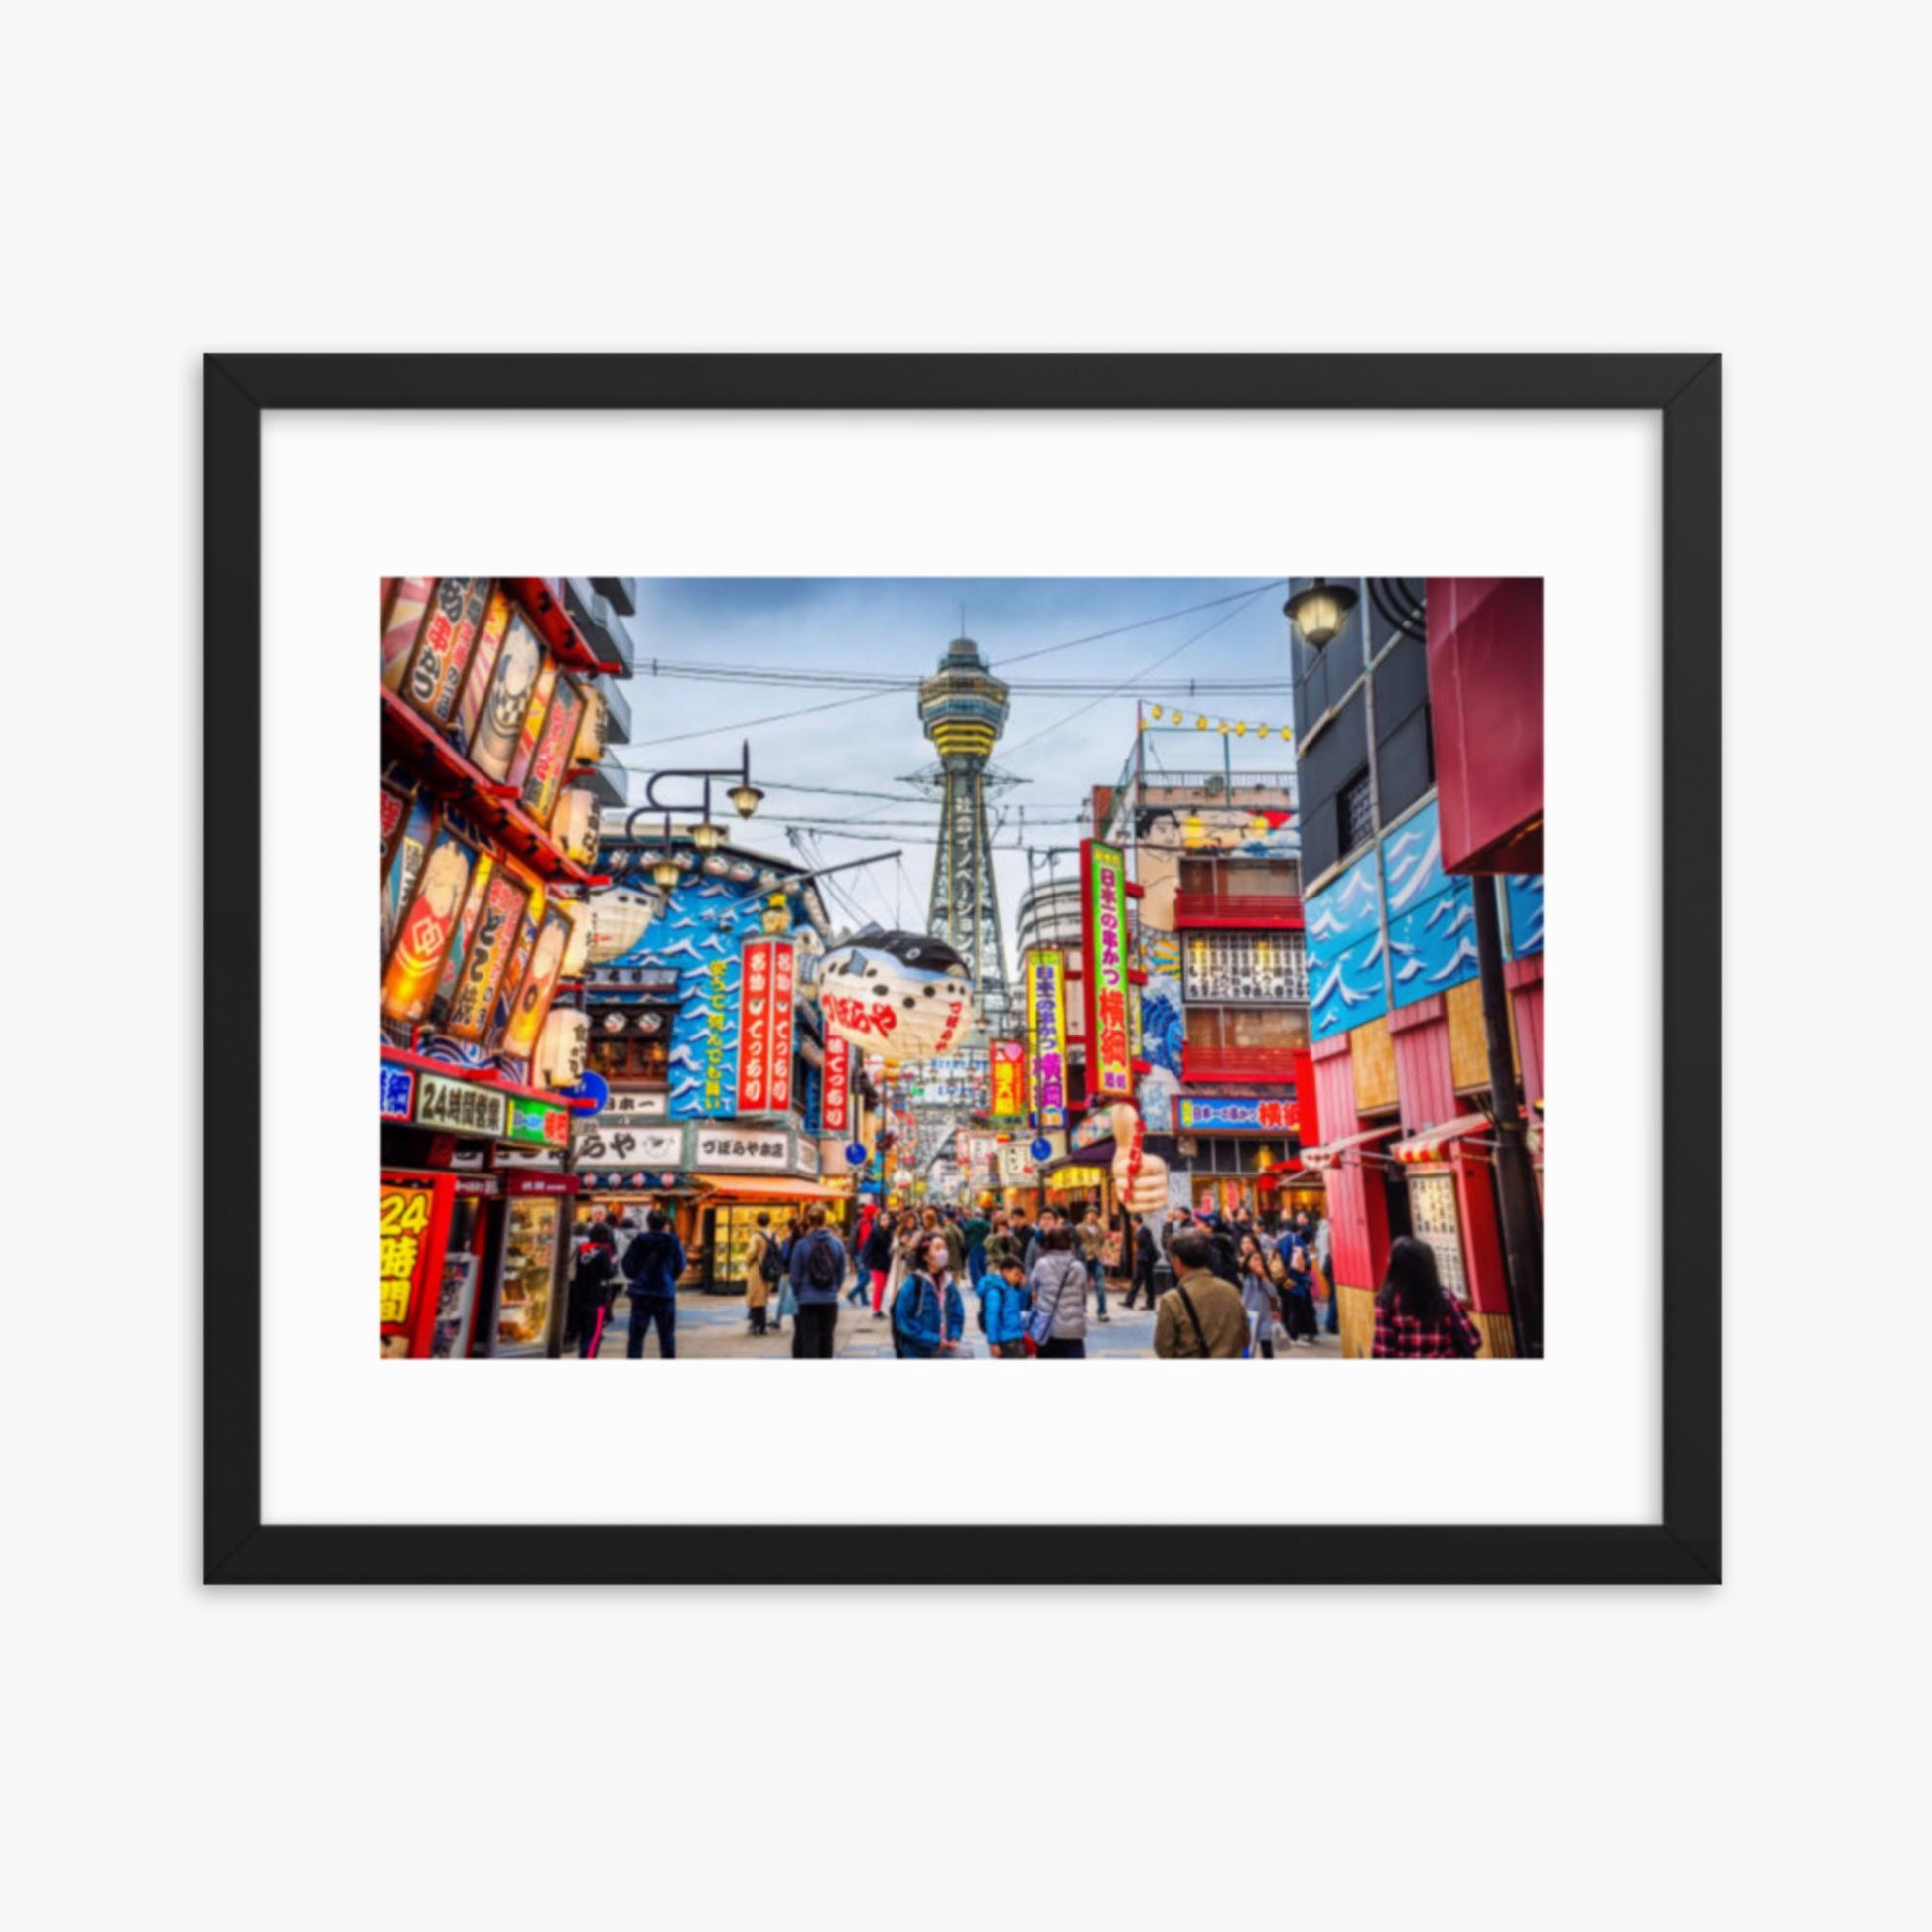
(497, 714)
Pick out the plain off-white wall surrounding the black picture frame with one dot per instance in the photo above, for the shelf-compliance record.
(1004, 177)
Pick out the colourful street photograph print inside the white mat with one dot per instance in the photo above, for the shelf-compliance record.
(988, 969)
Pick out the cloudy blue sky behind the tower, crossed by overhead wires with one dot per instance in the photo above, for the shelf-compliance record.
(1056, 745)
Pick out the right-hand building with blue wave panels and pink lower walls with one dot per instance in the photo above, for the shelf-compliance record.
(1398, 1025)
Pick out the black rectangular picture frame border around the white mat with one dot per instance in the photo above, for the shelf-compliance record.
(1682, 1548)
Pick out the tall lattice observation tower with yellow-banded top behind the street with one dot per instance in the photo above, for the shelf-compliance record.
(965, 710)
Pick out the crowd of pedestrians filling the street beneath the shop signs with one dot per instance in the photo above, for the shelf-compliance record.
(1222, 1288)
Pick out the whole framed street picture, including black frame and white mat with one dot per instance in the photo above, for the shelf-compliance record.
(1311, 907)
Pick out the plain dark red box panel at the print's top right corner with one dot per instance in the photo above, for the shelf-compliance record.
(1487, 718)
